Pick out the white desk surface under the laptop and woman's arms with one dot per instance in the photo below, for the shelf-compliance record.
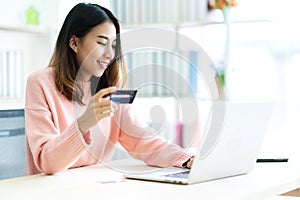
(101, 182)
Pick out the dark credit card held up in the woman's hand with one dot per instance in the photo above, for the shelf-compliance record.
(123, 96)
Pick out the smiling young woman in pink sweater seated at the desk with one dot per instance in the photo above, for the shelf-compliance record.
(70, 122)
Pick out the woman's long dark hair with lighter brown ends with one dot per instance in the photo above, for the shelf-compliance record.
(79, 21)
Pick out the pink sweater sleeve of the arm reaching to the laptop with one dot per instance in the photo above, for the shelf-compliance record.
(144, 144)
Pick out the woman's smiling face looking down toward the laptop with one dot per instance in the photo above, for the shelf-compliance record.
(96, 50)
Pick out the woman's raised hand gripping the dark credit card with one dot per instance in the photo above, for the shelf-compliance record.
(98, 108)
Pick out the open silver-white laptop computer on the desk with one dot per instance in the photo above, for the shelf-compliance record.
(228, 151)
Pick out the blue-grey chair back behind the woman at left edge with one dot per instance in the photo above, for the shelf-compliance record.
(12, 143)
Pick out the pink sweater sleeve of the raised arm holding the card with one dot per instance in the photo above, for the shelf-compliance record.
(52, 151)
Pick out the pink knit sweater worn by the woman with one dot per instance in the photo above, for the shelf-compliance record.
(55, 143)
